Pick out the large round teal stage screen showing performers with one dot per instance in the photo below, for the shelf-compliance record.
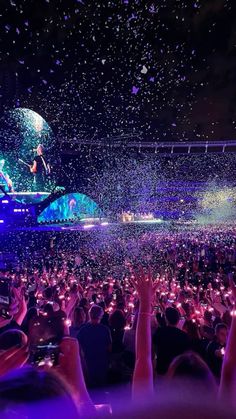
(29, 156)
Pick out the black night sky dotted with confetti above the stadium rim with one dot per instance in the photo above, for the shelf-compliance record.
(163, 69)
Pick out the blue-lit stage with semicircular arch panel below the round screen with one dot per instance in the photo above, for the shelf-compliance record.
(20, 210)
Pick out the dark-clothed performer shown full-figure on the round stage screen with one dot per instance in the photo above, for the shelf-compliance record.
(40, 169)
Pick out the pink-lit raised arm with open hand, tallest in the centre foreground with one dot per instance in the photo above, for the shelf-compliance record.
(143, 373)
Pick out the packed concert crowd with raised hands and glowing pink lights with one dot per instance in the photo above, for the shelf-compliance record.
(149, 319)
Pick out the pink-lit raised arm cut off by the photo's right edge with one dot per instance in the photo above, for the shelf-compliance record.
(228, 376)
